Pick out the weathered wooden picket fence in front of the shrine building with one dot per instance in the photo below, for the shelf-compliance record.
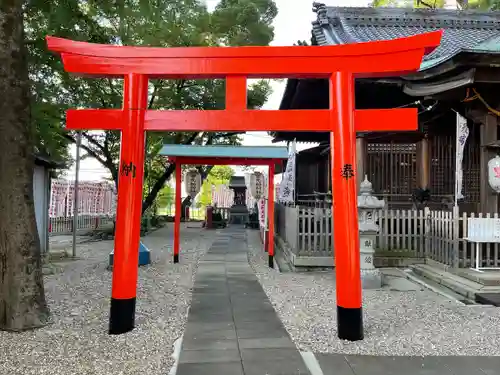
(433, 234)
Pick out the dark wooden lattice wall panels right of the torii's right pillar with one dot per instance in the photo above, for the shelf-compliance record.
(393, 170)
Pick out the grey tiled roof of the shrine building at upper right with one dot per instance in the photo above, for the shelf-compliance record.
(464, 31)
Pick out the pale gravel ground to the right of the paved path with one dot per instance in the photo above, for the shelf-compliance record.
(396, 323)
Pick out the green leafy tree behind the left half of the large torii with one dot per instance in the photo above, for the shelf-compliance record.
(138, 22)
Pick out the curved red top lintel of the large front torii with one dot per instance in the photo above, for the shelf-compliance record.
(396, 56)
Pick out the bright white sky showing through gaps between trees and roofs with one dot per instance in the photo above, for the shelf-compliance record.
(292, 23)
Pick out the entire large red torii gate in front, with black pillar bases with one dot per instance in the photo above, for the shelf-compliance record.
(340, 64)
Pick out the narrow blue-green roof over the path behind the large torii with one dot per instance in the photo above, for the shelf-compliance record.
(261, 152)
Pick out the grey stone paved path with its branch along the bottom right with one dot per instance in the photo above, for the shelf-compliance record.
(232, 329)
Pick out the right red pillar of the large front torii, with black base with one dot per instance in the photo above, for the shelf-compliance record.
(346, 233)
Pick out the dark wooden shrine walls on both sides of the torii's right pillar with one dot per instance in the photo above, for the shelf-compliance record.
(393, 169)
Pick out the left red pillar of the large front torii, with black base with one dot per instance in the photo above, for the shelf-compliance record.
(129, 207)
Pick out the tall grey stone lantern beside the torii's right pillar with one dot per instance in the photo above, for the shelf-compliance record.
(369, 208)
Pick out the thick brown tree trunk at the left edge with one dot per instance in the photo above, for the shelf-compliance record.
(22, 298)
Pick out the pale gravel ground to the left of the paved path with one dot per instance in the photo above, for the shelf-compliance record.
(79, 293)
